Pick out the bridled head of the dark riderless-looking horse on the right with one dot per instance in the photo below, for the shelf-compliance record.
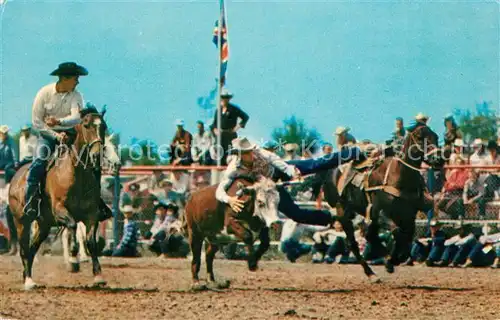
(421, 144)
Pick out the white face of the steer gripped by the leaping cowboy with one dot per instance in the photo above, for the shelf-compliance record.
(266, 199)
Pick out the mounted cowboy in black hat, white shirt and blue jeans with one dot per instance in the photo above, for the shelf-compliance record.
(56, 110)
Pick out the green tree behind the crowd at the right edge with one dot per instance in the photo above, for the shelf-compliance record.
(482, 123)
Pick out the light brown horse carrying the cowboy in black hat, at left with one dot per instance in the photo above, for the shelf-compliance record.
(71, 193)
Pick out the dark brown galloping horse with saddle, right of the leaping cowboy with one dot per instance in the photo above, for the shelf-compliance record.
(394, 185)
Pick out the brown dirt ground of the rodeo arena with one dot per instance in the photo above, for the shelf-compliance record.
(149, 288)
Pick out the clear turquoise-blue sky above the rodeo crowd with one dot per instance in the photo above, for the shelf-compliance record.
(356, 64)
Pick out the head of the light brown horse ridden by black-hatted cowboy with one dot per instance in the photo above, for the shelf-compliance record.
(92, 132)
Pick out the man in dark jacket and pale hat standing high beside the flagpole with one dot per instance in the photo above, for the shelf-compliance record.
(232, 120)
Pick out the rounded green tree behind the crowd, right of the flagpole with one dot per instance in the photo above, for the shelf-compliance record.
(296, 131)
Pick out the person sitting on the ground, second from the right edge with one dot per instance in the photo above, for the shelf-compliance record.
(457, 248)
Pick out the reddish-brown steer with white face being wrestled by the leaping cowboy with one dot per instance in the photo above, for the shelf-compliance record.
(206, 217)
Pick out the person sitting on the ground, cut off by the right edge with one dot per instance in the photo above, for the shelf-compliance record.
(484, 254)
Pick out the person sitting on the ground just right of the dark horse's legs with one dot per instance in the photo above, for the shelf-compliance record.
(431, 248)
